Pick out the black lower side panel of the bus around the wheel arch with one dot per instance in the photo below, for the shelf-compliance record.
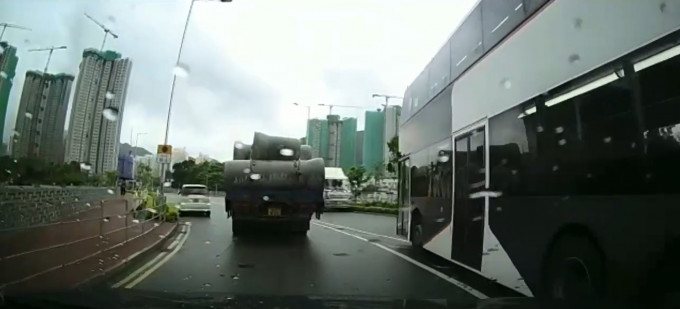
(630, 229)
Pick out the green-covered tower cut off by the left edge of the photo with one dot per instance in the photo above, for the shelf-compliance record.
(8, 65)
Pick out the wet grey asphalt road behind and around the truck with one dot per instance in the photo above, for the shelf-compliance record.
(344, 254)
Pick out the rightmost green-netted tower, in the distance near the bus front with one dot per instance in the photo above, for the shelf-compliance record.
(373, 139)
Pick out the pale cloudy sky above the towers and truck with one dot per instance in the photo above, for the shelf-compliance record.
(247, 60)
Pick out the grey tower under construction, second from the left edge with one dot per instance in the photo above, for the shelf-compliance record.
(39, 126)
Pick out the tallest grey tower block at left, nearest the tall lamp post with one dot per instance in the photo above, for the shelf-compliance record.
(97, 112)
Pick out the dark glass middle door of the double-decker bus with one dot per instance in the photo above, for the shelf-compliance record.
(468, 201)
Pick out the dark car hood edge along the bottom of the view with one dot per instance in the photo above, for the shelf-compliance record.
(125, 298)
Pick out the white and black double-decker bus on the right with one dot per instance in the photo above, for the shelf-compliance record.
(542, 148)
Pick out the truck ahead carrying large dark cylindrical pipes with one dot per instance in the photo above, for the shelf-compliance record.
(273, 182)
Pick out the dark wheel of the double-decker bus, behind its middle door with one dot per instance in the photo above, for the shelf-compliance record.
(573, 274)
